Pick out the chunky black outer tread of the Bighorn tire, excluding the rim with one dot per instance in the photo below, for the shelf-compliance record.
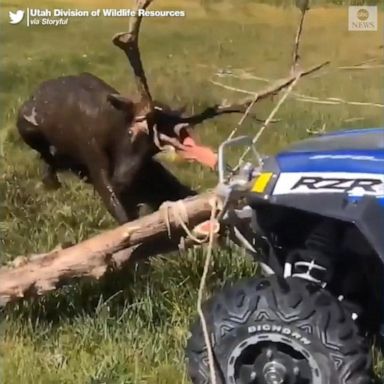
(302, 304)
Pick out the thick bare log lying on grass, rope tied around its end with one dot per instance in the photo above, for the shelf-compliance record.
(159, 232)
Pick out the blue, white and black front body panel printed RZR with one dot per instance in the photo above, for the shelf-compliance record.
(337, 175)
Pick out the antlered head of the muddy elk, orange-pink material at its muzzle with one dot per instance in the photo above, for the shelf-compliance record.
(160, 126)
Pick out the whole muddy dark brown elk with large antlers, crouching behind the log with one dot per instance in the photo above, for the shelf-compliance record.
(80, 123)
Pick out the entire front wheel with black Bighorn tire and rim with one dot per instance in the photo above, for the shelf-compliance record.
(272, 330)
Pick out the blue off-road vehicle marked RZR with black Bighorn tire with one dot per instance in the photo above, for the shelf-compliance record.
(314, 220)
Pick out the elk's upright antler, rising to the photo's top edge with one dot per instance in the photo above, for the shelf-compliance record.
(129, 43)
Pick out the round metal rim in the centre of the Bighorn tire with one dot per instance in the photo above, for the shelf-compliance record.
(272, 359)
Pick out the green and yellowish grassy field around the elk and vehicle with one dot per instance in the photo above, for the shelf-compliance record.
(132, 329)
